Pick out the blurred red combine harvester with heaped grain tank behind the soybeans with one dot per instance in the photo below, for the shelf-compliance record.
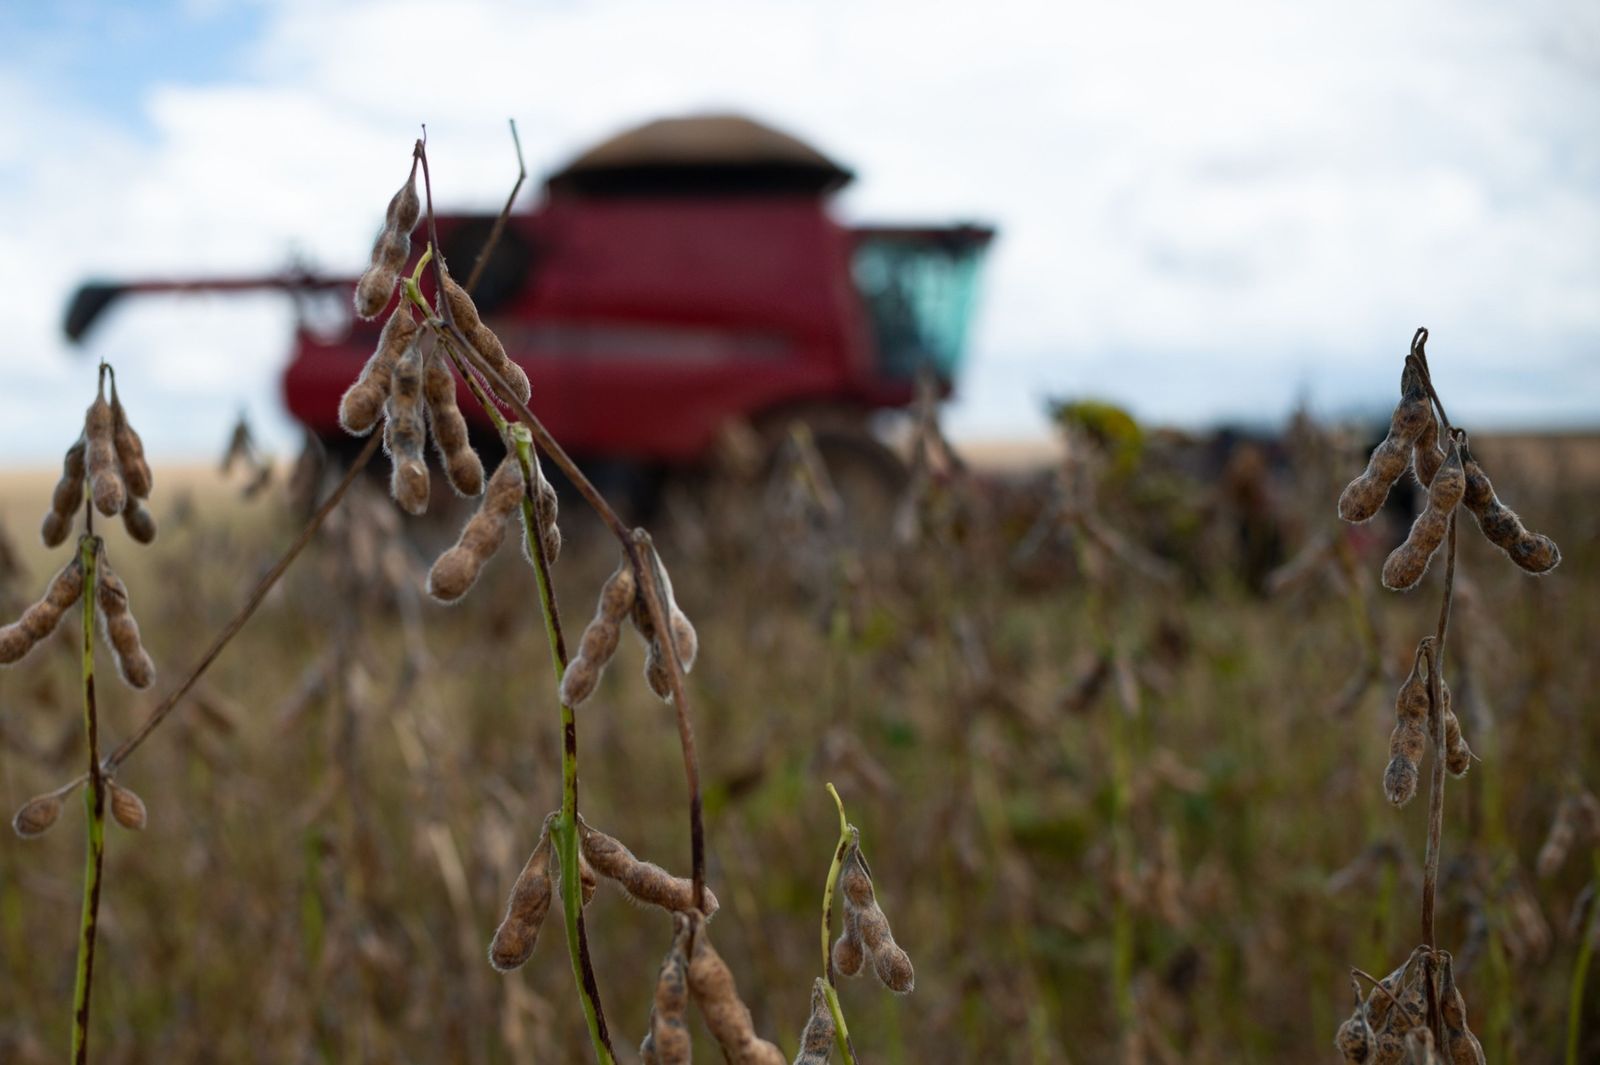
(679, 277)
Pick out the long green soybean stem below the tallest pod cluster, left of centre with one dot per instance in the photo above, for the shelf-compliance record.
(566, 828)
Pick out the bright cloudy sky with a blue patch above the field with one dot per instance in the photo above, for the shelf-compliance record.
(1207, 212)
